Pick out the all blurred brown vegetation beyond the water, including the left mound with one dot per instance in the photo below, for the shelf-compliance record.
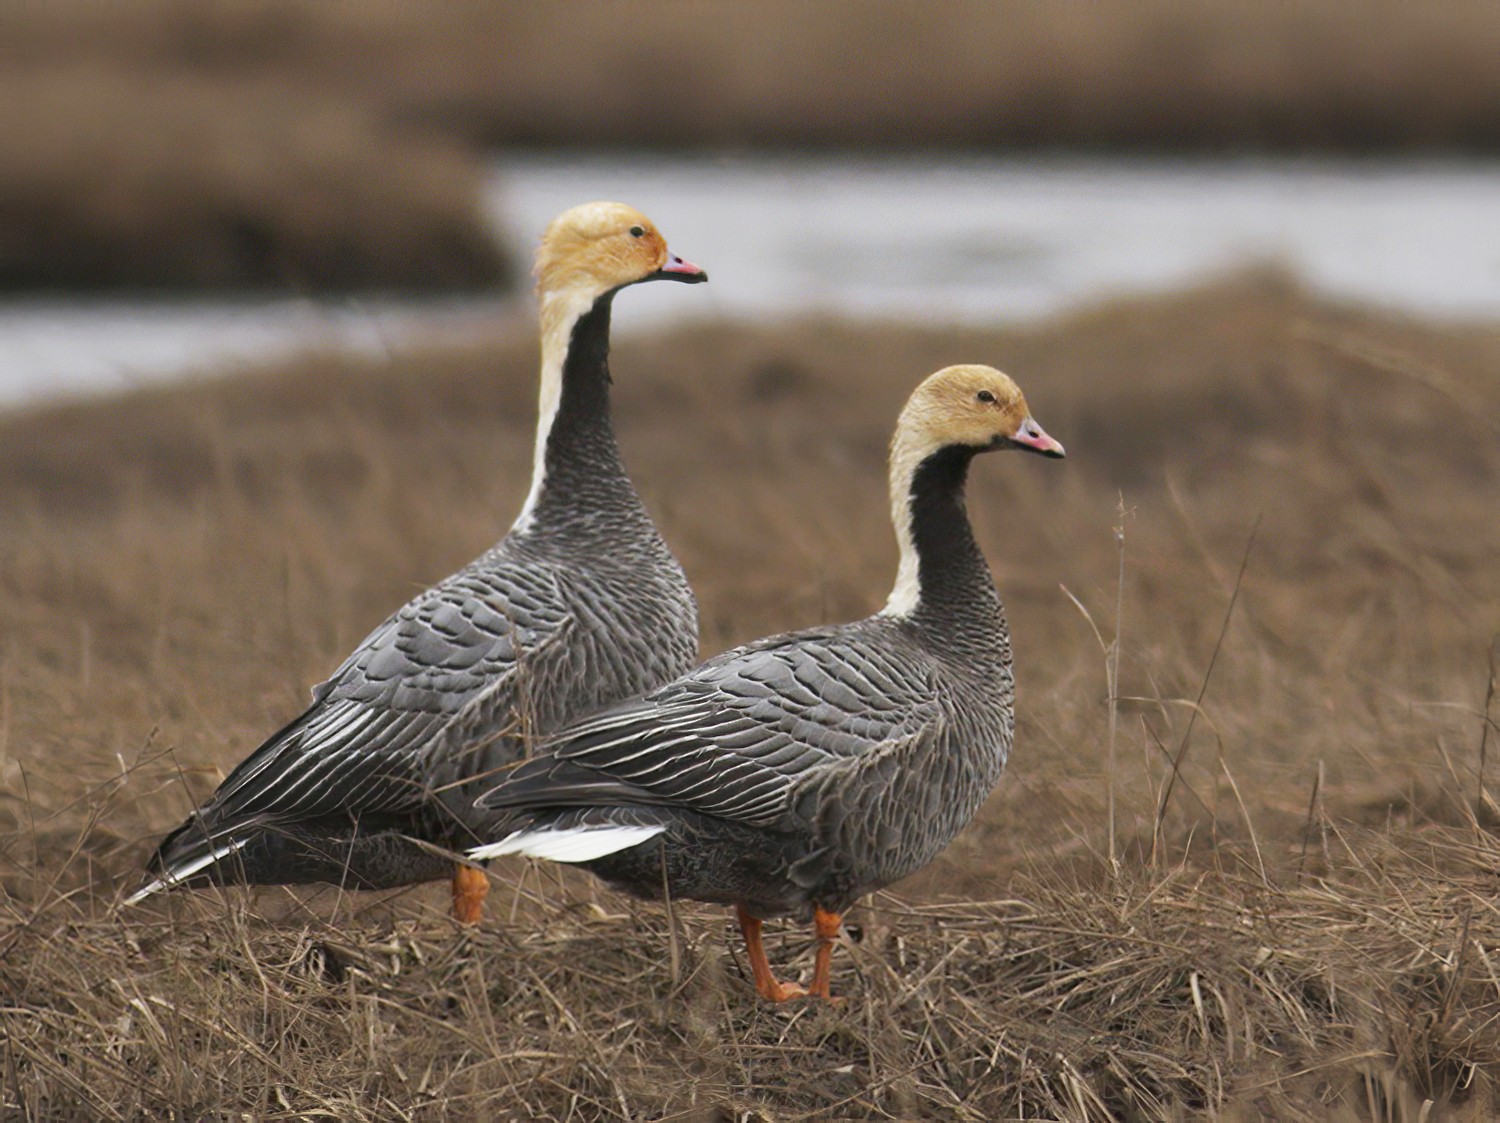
(295, 145)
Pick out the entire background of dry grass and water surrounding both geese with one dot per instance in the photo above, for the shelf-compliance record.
(268, 367)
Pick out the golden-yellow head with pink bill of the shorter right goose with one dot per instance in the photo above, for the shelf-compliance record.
(973, 407)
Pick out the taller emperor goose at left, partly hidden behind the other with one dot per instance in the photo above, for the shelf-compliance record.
(578, 606)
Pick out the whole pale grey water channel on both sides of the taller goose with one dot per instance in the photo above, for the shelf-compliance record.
(955, 239)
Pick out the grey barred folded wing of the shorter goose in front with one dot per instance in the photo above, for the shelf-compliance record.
(733, 737)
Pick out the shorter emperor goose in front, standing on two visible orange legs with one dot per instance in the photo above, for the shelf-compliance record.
(803, 771)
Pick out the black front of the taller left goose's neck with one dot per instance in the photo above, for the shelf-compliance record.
(583, 464)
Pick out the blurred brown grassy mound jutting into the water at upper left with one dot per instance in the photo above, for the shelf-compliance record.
(161, 179)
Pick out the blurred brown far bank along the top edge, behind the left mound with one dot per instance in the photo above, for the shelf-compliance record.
(857, 73)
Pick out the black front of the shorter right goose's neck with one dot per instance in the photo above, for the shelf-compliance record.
(955, 585)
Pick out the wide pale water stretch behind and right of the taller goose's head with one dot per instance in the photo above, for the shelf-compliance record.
(1003, 241)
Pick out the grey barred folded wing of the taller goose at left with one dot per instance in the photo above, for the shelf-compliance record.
(362, 746)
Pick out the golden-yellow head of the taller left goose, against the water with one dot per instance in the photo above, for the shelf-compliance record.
(601, 247)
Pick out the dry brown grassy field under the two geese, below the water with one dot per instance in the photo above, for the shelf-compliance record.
(1295, 912)
